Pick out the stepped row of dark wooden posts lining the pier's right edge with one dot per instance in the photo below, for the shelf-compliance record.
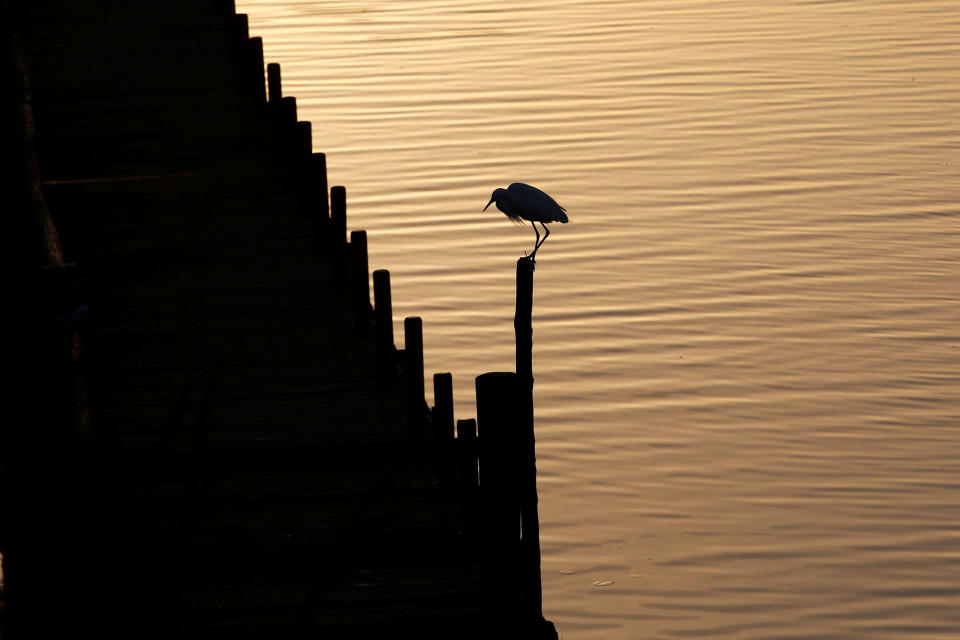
(502, 436)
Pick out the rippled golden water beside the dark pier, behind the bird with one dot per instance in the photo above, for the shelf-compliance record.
(747, 339)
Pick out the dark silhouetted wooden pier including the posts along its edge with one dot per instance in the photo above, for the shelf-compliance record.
(211, 432)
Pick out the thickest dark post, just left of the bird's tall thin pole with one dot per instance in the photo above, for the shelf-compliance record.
(498, 423)
